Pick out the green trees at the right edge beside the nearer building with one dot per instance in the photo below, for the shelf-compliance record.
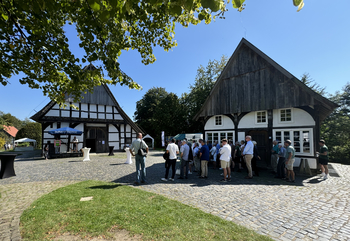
(335, 129)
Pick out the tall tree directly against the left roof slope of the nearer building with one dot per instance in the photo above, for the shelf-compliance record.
(200, 90)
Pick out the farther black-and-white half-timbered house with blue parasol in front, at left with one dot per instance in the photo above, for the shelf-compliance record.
(99, 117)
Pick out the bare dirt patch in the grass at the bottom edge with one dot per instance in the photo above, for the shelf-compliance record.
(120, 235)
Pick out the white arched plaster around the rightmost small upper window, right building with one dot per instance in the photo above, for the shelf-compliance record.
(299, 118)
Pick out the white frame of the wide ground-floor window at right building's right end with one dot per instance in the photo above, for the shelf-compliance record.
(291, 135)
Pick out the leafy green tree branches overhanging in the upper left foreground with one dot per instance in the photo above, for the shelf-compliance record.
(33, 41)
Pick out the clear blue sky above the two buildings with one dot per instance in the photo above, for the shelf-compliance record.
(315, 40)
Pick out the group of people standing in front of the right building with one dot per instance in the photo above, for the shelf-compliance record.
(228, 157)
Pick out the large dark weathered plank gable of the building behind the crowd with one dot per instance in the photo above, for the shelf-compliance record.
(252, 81)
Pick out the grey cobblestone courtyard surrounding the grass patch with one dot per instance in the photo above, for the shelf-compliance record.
(310, 209)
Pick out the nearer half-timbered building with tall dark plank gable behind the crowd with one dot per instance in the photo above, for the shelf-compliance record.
(256, 96)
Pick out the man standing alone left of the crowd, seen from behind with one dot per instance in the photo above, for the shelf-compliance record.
(140, 161)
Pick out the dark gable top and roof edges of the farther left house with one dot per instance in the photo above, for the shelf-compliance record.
(99, 91)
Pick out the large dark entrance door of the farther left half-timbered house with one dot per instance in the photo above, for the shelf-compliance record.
(96, 139)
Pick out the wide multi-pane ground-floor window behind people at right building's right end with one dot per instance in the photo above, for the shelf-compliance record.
(300, 139)
